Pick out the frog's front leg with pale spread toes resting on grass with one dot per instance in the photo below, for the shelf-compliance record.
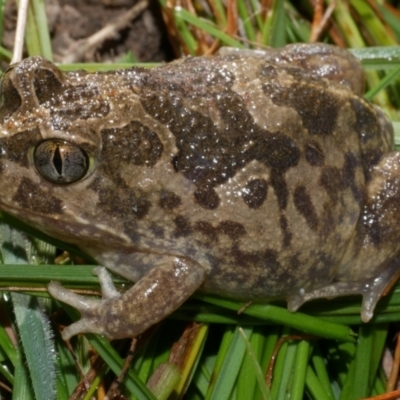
(162, 290)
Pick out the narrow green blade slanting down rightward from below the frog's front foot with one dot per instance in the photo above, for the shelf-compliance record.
(114, 361)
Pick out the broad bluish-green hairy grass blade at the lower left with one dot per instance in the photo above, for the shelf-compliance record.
(33, 326)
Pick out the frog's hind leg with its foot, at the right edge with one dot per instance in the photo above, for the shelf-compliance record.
(371, 263)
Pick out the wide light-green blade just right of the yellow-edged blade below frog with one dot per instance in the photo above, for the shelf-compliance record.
(230, 358)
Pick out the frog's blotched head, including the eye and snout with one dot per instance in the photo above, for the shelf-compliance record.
(49, 148)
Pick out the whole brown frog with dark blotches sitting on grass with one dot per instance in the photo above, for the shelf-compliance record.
(251, 175)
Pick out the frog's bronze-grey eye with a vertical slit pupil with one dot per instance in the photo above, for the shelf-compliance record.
(61, 162)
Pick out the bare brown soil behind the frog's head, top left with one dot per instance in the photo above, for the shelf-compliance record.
(72, 21)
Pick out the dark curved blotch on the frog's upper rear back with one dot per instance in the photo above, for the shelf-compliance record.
(317, 108)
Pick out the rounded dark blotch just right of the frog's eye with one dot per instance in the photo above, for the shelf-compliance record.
(134, 143)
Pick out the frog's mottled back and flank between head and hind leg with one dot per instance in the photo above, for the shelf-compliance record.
(269, 167)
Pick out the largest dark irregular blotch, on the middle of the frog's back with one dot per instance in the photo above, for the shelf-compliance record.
(206, 155)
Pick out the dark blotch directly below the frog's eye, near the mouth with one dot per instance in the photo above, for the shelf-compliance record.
(29, 196)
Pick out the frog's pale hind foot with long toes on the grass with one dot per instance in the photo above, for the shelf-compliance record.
(371, 290)
